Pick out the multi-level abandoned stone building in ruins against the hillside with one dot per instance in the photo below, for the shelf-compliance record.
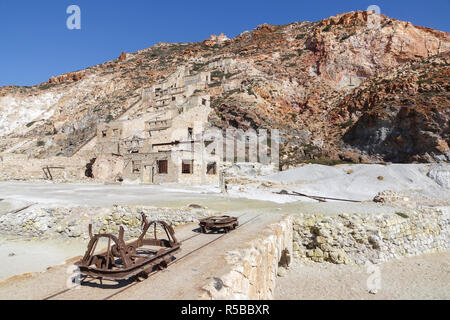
(166, 143)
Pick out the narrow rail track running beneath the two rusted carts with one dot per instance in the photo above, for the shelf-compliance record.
(60, 294)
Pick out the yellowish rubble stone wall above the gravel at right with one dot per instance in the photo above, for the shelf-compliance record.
(361, 238)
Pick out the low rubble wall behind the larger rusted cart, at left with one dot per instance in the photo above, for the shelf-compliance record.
(63, 222)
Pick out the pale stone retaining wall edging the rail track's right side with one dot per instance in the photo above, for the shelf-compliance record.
(254, 268)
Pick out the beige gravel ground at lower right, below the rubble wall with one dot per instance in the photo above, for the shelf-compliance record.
(423, 277)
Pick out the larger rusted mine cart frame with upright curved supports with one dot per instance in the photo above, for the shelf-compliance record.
(122, 260)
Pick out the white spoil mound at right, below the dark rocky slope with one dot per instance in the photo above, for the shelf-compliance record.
(353, 182)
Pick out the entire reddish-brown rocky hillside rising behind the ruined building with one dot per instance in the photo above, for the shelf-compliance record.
(341, 89)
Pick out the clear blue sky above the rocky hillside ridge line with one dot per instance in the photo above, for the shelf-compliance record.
(36, 44)
